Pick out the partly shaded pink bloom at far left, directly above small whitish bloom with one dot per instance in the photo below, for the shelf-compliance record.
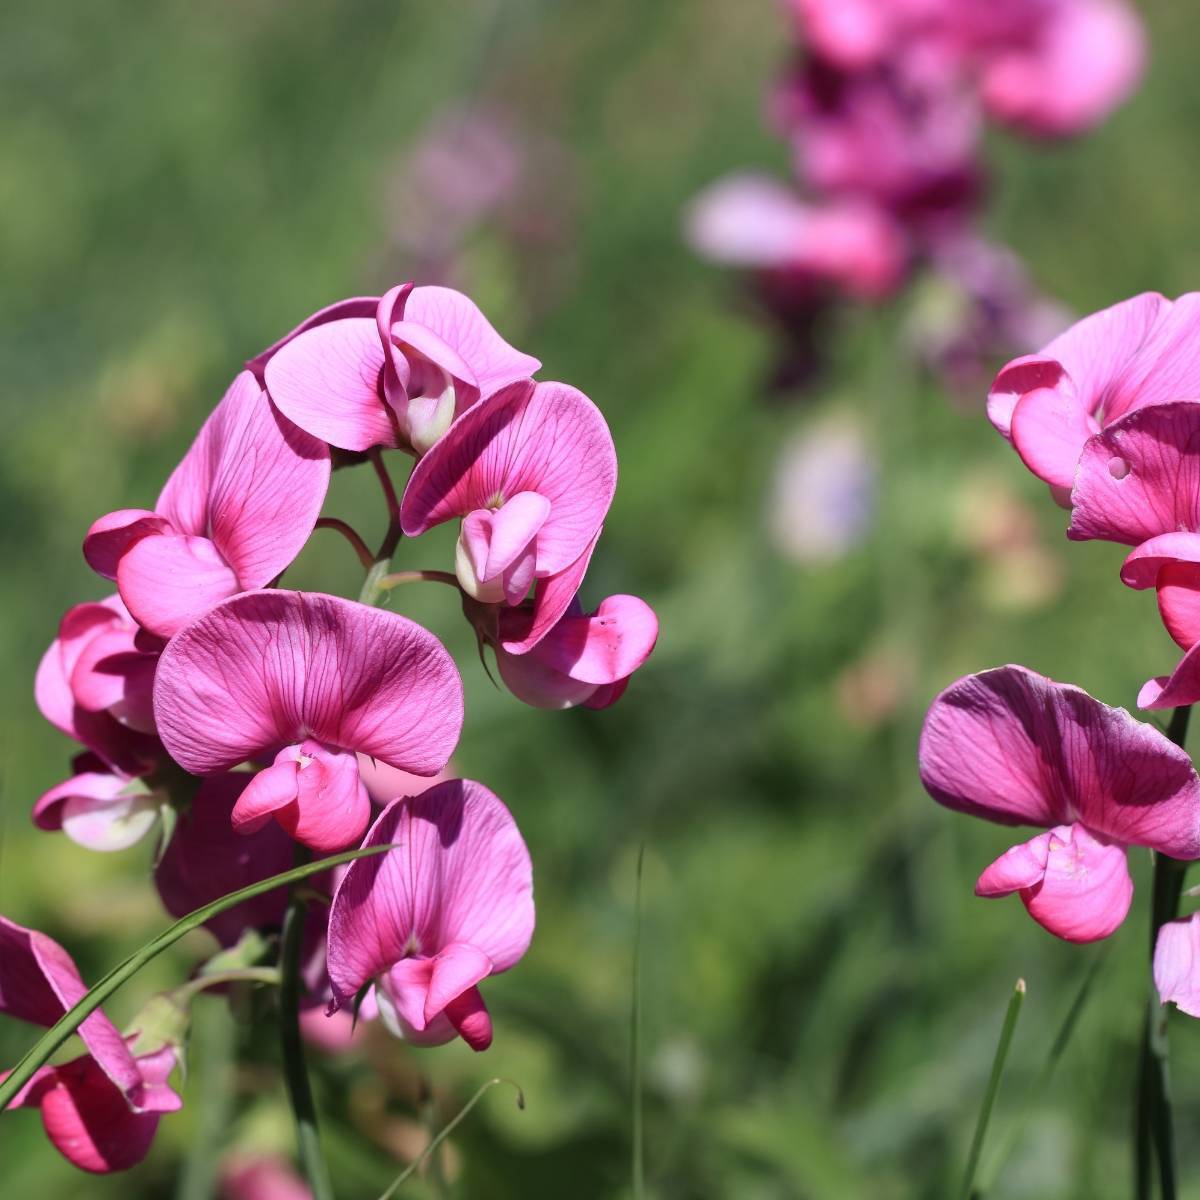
(97, 682)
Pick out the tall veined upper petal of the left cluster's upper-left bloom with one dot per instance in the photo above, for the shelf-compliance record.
(253, 482)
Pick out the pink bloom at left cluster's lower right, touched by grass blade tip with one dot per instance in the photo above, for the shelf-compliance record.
(428, 923)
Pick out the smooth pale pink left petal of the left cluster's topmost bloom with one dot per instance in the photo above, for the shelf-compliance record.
(328, 382)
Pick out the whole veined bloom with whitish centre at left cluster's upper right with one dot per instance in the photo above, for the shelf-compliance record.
(532, 472)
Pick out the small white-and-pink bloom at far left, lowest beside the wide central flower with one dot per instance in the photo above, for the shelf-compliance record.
(100, 808)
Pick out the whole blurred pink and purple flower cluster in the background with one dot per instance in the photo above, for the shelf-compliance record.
(883, 109)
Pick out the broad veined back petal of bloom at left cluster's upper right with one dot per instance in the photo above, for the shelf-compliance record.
(544, 439)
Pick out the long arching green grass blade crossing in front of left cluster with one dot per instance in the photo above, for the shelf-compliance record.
(65, 1027)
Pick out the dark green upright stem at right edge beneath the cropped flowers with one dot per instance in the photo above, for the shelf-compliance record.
(1155, 1129)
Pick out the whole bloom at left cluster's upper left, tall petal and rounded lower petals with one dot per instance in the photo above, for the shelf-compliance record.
(235, 514)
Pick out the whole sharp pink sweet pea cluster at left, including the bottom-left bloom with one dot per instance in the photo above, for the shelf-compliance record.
(249, 723)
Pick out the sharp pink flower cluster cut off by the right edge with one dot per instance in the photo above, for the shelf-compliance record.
(1108, 416)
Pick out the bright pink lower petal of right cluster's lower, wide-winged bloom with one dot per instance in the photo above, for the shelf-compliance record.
(1073, 884)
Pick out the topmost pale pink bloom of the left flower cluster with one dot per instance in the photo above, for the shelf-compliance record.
(397, 377)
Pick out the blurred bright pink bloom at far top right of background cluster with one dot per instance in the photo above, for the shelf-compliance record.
(1081, 62)
